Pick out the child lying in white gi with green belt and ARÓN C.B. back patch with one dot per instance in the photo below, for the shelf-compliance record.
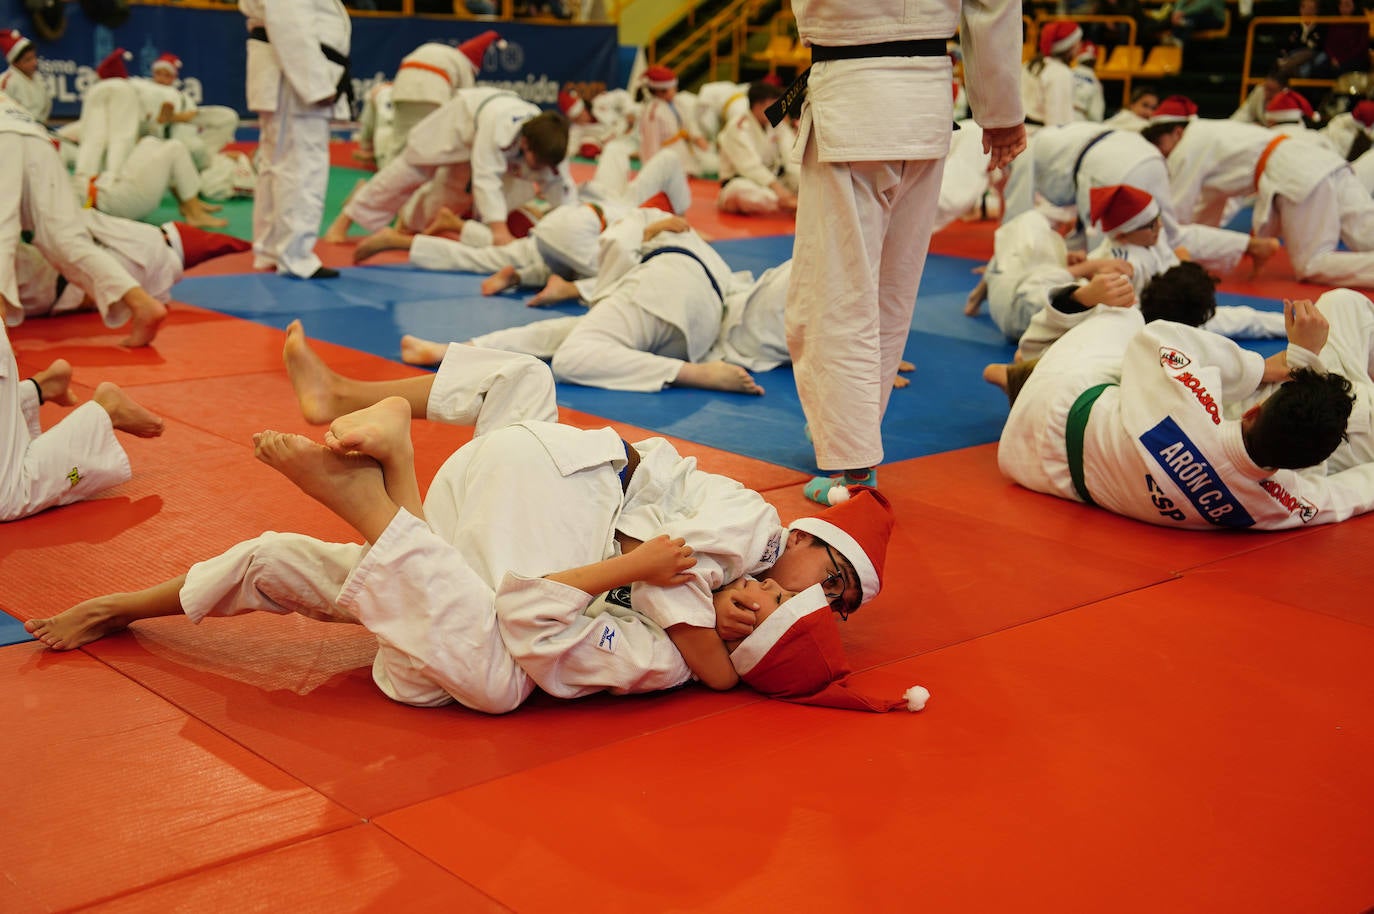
(1137, 419)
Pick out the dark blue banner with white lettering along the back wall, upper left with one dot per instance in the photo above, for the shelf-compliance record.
(538, 60)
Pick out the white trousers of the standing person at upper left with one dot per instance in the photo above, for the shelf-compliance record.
(293, 175)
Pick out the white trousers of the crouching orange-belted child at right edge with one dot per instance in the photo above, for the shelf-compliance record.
(1313, 236)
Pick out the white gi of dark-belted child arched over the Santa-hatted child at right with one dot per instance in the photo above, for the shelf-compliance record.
(1105, 159)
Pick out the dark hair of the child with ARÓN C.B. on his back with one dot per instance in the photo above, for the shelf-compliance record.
(1302, 423)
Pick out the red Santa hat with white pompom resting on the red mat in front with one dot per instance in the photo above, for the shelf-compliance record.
(796, 655)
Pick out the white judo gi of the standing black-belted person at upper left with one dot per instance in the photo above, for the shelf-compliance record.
(293, 89)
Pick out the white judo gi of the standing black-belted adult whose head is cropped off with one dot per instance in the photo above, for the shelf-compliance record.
(872, 144)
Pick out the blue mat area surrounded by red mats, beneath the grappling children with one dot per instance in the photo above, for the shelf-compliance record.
(949, 406)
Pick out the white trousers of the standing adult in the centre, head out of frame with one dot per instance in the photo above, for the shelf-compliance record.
(858, 260)
